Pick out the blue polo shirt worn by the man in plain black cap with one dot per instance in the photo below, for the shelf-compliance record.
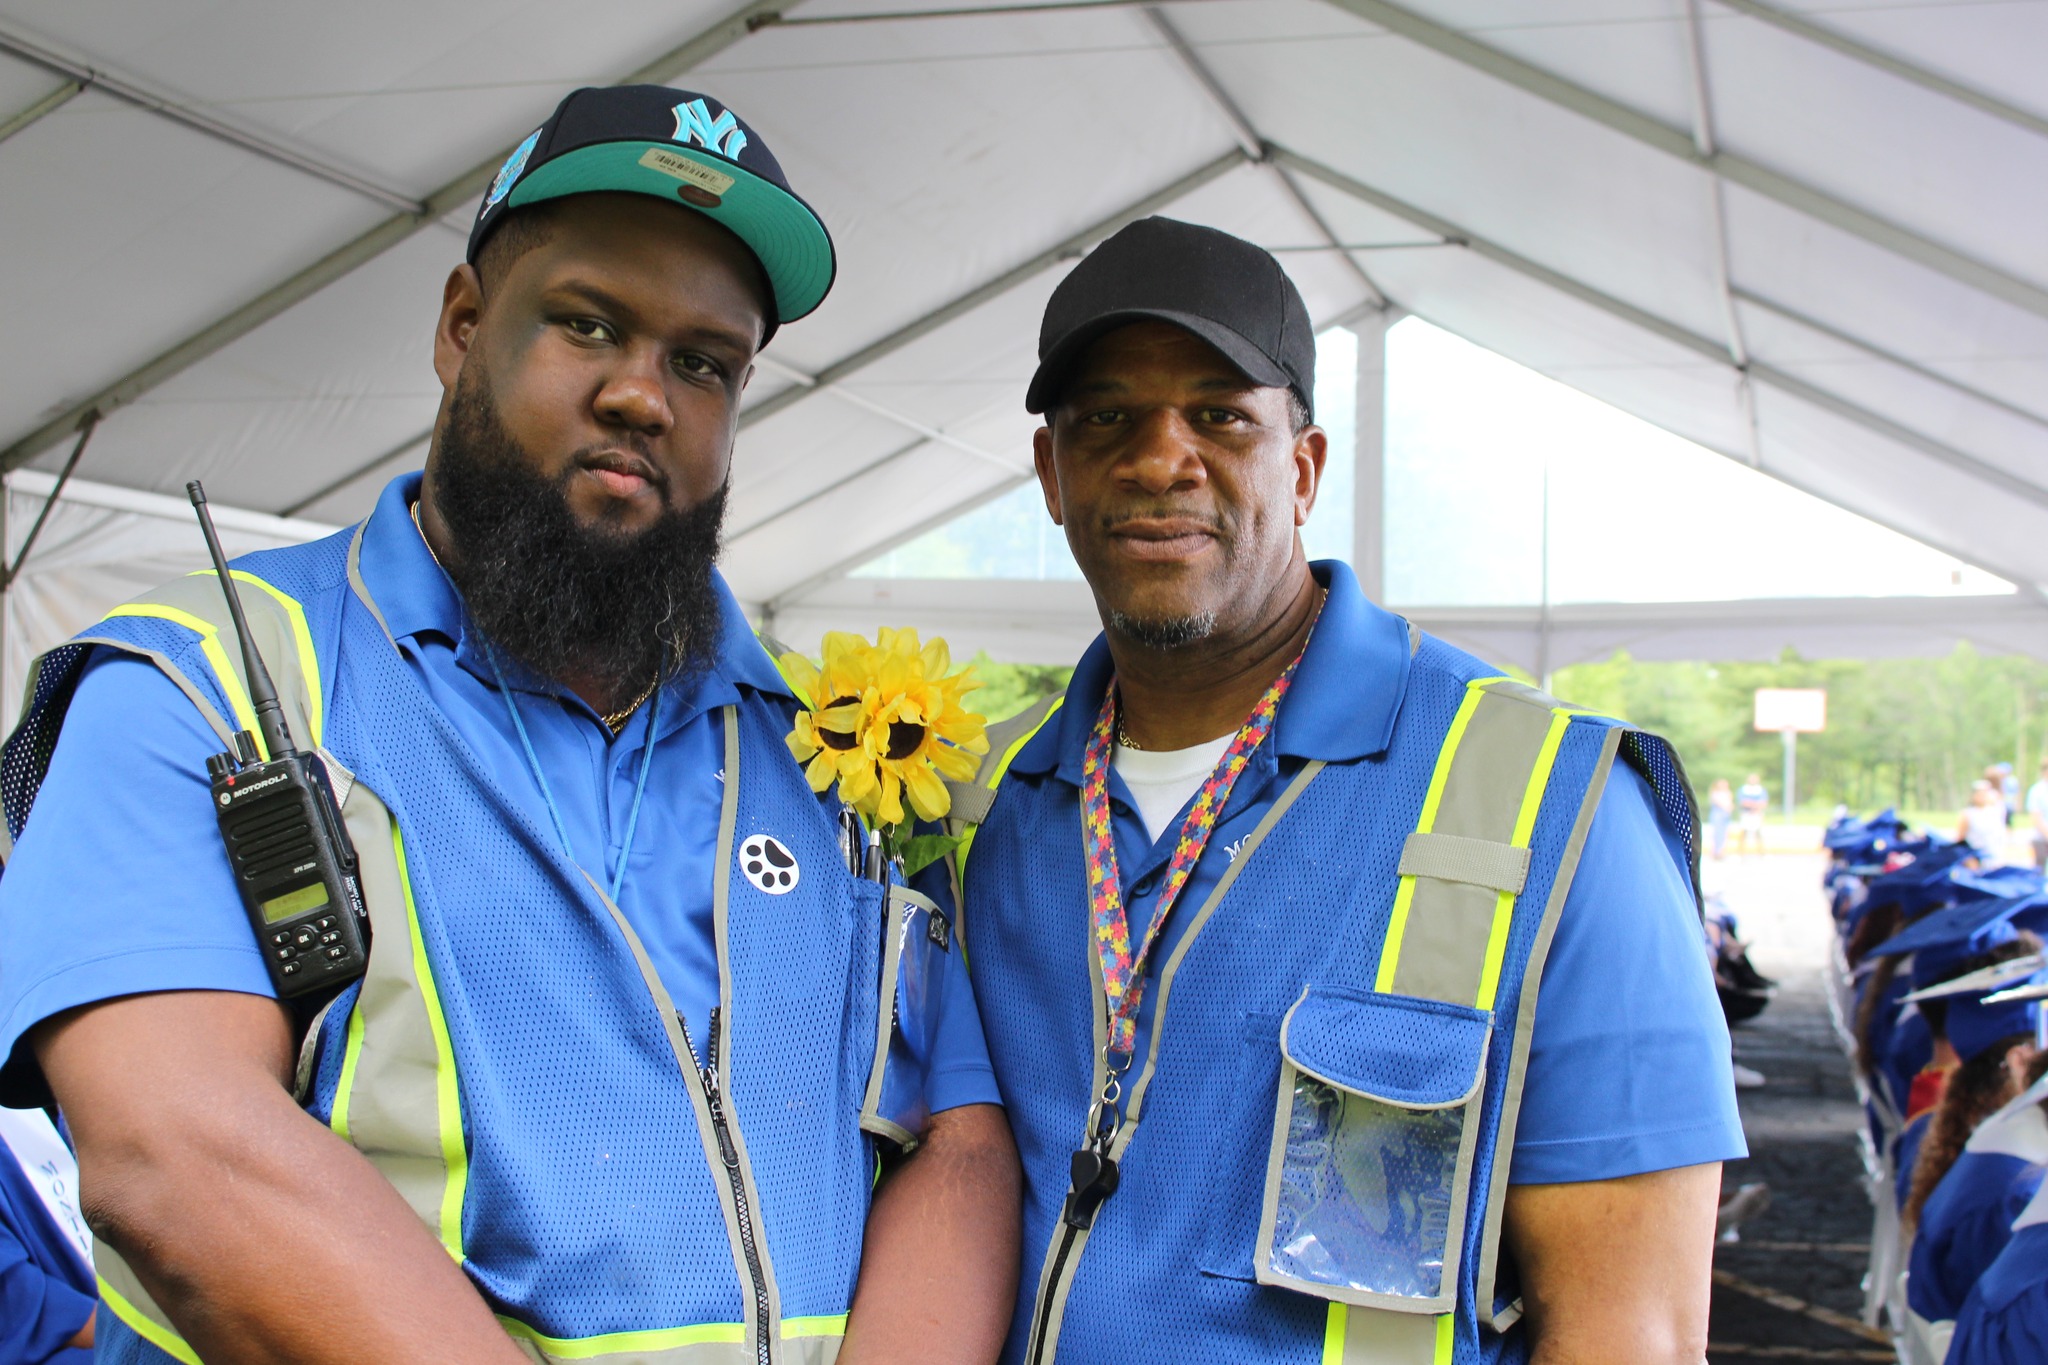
(1629, 1071)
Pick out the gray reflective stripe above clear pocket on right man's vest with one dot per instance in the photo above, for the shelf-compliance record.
(1449, 928)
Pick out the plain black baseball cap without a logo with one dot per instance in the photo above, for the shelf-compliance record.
(1220, 288)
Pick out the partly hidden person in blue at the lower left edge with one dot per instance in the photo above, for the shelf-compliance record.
(48, 1301)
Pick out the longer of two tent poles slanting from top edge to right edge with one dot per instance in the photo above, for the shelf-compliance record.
(1787, 191)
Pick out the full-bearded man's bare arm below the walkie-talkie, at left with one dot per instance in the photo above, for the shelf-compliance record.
(263, 1235)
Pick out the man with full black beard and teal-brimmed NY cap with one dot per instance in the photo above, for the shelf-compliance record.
(603, 1090)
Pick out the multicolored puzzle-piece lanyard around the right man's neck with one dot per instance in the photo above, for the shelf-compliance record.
(1123, 973)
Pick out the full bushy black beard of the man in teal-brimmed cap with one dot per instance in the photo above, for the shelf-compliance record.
(595, 605)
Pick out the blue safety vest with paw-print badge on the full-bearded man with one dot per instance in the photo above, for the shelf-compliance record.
(511, 1061)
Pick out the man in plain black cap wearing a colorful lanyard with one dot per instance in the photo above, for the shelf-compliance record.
(1261, 916)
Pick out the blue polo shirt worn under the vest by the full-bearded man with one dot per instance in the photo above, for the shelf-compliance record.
(120, 885)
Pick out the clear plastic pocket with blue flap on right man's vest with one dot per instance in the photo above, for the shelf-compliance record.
(1371, 1165)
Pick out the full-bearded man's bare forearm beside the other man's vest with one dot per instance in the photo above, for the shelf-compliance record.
(939, 1272)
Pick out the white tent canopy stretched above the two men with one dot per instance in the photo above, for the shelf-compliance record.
(1803, 234)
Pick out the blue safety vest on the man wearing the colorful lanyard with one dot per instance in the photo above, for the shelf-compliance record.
(1318, 1139)
